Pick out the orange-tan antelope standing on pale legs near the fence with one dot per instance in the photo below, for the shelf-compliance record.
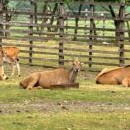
(11, 55)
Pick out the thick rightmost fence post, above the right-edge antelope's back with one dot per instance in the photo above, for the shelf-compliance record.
(121, 36)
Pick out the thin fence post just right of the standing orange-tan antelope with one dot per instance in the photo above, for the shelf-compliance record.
(30, 36)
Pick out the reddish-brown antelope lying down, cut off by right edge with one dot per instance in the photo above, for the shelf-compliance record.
(115, 76)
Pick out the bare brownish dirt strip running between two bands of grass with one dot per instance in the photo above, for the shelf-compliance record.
(70, 106)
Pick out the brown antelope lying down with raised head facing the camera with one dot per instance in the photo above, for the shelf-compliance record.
(50, 78)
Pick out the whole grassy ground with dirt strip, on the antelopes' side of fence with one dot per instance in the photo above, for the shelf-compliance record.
(91, 107)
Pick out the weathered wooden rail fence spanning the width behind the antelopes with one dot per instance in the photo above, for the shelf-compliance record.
(54, 35)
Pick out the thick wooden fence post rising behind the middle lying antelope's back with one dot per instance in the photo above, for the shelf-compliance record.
(61, 31)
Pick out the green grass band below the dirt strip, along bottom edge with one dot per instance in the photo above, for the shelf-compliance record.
(66, 121)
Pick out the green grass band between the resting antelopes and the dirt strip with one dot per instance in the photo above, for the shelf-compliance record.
(88, 92)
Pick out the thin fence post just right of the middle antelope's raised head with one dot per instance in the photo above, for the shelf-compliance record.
(91, 33)
